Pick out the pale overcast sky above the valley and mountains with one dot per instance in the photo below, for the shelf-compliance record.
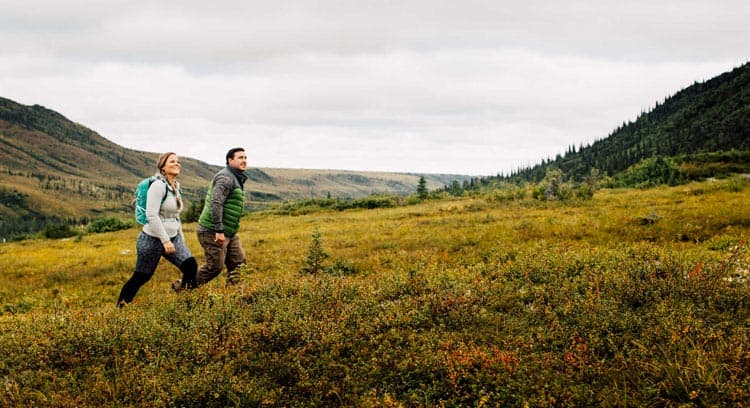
(465, 87)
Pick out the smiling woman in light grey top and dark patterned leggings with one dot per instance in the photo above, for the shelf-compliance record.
(162, 235)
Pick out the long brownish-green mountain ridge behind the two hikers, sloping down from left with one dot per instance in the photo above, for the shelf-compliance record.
(55, 170)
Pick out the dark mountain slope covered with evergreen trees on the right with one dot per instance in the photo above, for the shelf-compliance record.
(705, 126)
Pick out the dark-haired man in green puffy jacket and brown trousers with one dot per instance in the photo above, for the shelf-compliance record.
(220, 220)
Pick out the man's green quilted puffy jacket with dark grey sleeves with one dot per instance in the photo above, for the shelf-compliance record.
(230, 204)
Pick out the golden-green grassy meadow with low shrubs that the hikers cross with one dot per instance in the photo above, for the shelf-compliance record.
(633, 298)
